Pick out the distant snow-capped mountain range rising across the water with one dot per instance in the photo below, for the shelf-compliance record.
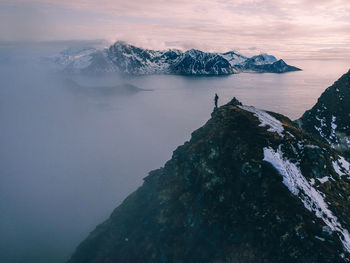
(127, 59)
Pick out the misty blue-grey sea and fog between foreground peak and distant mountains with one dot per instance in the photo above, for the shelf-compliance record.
(69, 156)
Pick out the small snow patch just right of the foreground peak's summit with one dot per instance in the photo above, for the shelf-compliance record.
(266, 120)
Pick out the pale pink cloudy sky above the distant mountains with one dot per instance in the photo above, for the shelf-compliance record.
(288, 28)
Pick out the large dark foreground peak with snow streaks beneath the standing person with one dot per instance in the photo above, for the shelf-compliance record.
(248, 187)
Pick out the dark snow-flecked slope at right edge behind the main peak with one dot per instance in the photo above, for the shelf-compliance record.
(329, 119)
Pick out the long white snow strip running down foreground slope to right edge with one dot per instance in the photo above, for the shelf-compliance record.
(312, 199)
